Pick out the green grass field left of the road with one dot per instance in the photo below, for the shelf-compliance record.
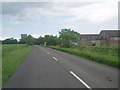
(12, 56)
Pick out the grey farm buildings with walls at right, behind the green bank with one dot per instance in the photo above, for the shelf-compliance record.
(104, 38)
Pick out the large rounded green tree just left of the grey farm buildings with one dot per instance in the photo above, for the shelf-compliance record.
(68, 36)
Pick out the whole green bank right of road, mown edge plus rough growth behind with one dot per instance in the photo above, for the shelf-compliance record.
(105, 55)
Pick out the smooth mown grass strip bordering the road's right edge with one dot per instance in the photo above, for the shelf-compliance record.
(107, 59)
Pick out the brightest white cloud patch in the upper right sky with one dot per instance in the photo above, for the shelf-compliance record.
(95, 13)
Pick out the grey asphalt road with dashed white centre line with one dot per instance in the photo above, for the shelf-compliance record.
(49, 68)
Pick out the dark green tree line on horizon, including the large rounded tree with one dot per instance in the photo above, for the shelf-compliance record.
(66, 37)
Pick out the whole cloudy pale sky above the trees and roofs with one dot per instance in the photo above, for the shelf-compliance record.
(38, 17)
